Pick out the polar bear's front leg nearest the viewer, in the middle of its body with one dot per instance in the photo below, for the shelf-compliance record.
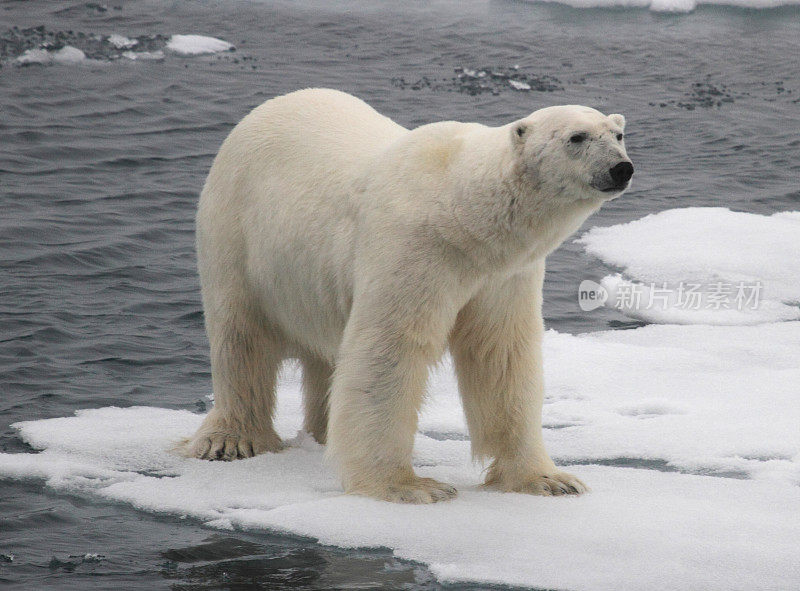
(377, 391)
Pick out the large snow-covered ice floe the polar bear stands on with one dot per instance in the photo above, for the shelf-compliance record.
(691, 401)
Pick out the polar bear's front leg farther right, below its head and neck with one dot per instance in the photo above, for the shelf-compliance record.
(497, 350)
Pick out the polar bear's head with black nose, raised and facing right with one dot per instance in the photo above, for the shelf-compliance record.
(573, 152)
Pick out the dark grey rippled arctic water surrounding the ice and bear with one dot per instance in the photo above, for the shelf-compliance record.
(101, 164)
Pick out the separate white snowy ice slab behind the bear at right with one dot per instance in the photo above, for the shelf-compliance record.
(729, 257)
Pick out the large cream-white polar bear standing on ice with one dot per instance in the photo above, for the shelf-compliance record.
(328, 233)
